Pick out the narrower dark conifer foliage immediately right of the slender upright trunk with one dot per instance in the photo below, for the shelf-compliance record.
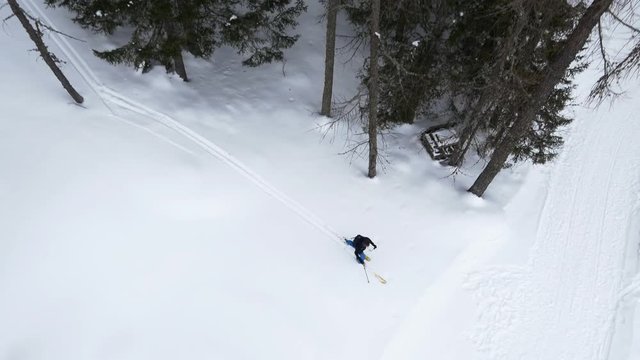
(410, 53)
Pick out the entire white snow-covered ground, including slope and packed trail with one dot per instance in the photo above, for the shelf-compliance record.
(197, 220)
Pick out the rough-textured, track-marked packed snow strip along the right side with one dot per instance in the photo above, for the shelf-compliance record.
(564, 306)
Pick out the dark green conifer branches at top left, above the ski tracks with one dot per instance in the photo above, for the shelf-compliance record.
(162, 29)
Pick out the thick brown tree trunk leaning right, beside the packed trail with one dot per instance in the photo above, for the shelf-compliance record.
(543, 90)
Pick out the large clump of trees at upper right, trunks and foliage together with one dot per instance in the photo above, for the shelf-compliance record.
(504, 67)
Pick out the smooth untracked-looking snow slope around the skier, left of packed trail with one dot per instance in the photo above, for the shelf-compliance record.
(154, 225)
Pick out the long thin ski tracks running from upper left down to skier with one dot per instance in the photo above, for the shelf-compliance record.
(110, 97)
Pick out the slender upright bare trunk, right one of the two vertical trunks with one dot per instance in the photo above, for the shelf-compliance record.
(373, 88)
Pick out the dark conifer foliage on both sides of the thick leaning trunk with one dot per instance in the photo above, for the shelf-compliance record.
(501, 51)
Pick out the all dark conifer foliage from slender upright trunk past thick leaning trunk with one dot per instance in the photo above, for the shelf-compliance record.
(486, 56)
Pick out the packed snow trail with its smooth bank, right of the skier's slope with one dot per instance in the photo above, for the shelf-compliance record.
(569, 299)
